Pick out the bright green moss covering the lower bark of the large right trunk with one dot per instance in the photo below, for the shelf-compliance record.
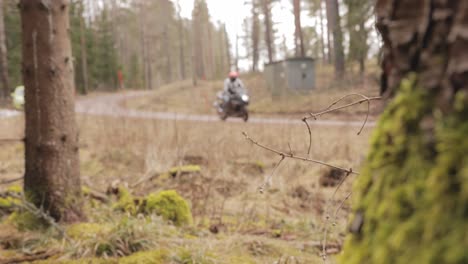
(413, 190)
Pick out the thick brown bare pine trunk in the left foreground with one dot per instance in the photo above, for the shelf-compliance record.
(52, 177)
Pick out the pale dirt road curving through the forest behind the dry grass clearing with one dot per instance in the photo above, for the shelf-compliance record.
(114, 105)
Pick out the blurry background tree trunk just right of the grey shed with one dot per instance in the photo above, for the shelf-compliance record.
(333, 17)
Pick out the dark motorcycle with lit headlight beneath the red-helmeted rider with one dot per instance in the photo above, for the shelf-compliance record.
(233, 105)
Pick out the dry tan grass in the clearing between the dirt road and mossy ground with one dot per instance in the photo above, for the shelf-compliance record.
(283, 221)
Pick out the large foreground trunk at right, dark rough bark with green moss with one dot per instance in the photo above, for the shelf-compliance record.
(411, 200)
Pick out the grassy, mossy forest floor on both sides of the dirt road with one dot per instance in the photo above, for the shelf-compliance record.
(215, 169)
